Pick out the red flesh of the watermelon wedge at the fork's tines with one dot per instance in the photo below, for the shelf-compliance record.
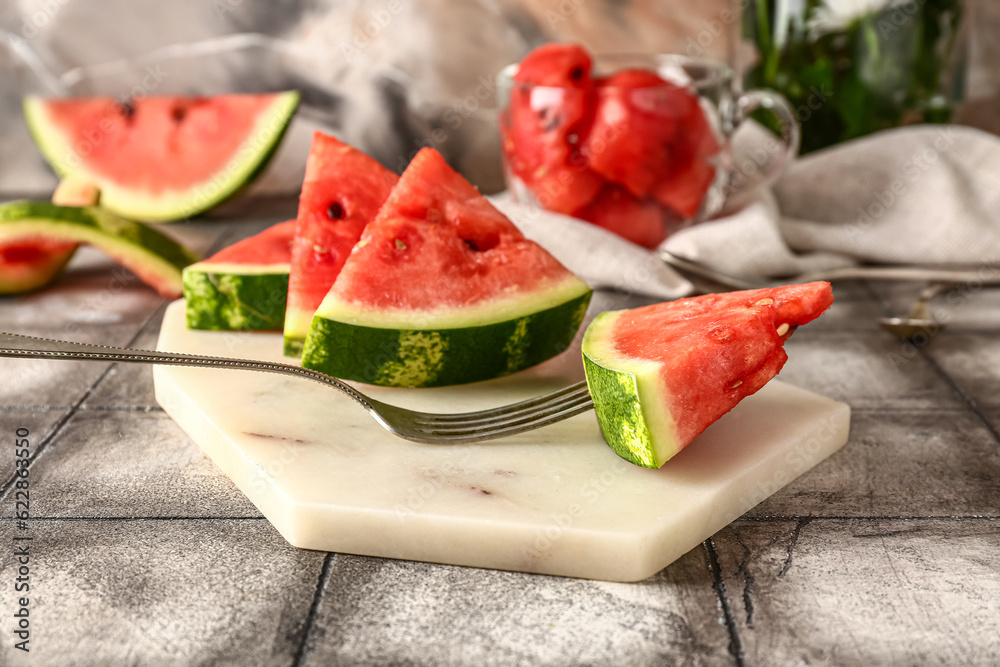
(717, 349)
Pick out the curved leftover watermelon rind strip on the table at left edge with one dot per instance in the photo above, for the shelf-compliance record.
(154, 257)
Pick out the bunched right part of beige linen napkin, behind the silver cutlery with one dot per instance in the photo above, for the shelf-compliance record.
(915, 195)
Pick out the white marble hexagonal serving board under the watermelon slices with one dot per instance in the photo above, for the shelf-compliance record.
(554, 501)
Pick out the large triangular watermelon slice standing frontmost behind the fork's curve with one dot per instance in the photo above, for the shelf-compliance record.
(443, 289)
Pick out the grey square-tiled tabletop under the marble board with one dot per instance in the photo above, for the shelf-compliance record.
(143, 553)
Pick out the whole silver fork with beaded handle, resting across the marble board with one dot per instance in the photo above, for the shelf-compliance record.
(425, 427)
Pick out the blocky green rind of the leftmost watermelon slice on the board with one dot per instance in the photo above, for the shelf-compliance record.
(235, 297)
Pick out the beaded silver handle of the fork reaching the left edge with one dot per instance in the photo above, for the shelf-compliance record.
(31, 347)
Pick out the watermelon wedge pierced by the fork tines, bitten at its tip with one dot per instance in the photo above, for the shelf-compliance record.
(659, 375)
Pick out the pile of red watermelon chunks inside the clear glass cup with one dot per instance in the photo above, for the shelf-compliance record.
(567, 133)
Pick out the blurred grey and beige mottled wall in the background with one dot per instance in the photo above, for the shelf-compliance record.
(388, 76)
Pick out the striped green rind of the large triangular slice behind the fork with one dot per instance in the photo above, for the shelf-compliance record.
(427, 355)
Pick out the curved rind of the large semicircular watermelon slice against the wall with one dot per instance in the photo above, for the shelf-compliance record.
(250, 160)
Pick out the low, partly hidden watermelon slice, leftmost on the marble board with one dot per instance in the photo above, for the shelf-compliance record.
(244, 286)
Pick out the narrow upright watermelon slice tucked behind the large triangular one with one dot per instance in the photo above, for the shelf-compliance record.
(342, 192)
